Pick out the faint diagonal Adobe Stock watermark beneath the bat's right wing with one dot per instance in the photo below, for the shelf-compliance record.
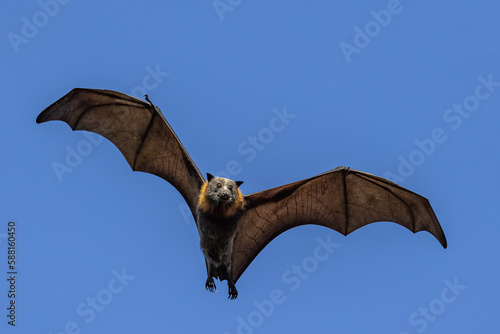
(292, 278)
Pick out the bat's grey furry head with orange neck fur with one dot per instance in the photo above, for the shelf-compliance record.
(219, 193)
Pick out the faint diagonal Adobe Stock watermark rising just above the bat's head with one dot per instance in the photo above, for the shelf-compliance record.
(249, 149)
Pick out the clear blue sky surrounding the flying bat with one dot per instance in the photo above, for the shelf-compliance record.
(405, 89)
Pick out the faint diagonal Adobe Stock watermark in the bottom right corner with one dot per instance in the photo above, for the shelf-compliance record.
(421, 318)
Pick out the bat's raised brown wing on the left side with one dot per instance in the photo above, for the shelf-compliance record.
(139, 131)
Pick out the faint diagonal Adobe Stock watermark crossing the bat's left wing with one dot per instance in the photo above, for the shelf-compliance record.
(75, 155)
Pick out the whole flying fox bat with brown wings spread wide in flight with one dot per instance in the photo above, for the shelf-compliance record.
(234, 228)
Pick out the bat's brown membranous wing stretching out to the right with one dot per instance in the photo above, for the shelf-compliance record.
(342, 199)
